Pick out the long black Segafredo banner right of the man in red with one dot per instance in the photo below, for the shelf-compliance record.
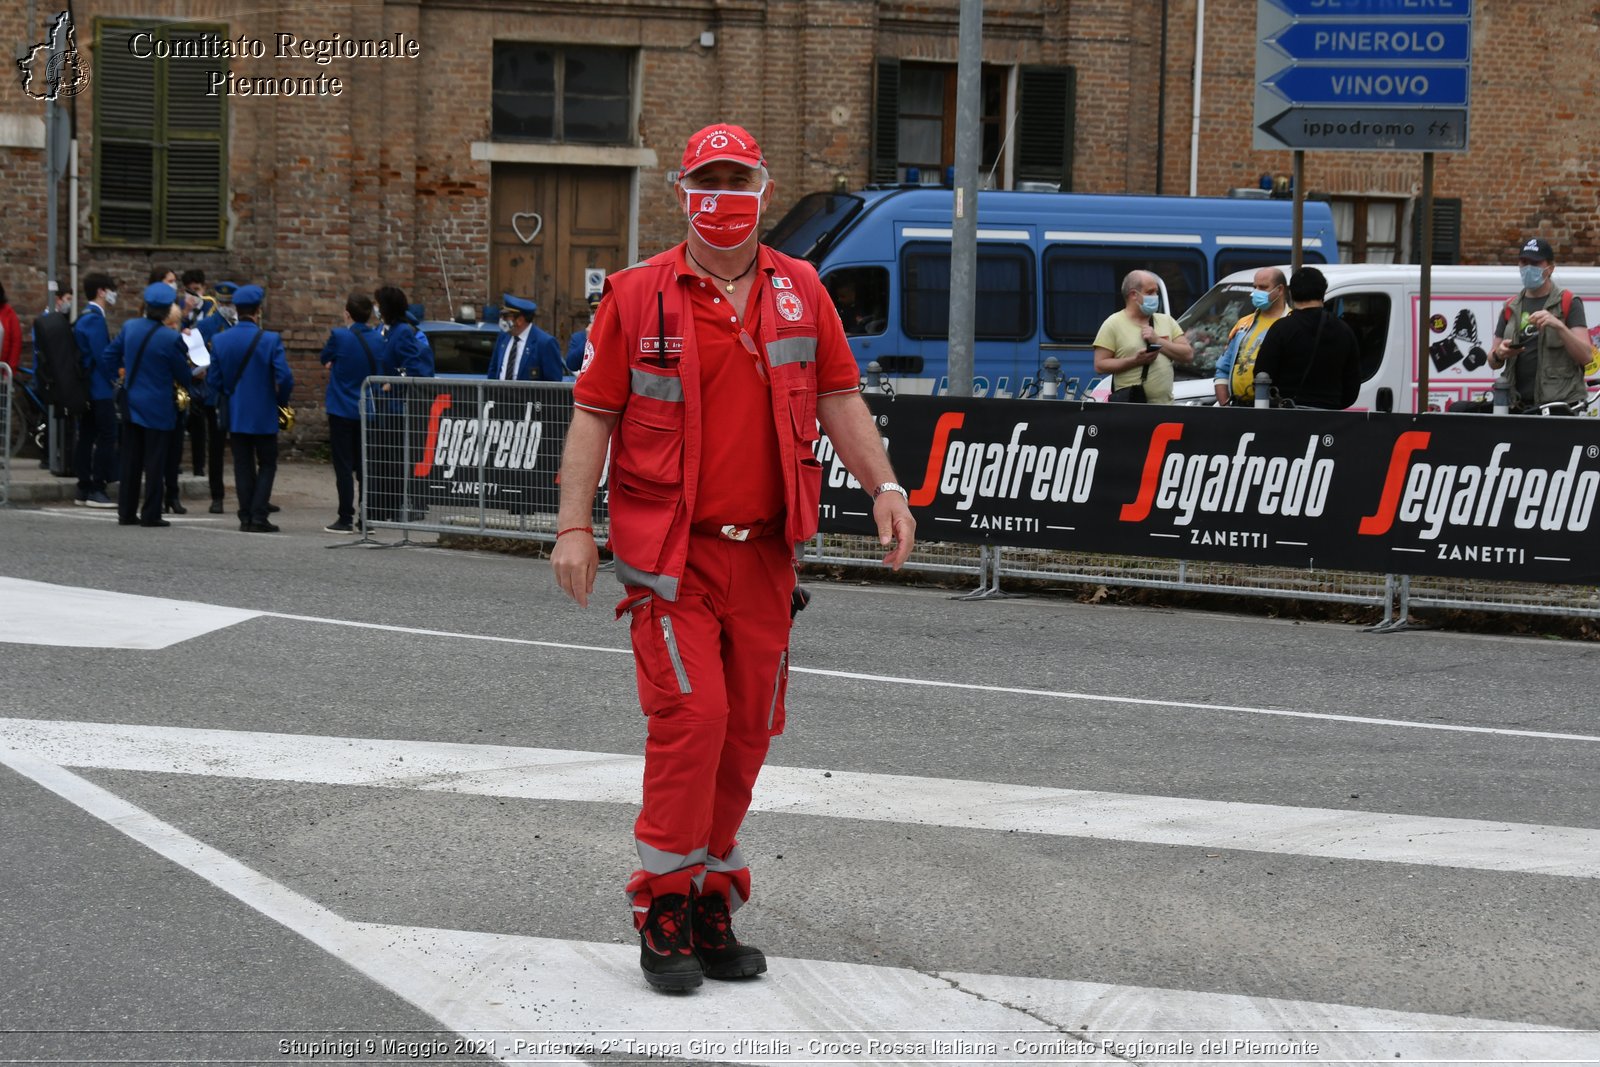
(1455, 495)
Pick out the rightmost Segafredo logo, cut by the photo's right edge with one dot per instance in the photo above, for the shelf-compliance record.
(1442, 497)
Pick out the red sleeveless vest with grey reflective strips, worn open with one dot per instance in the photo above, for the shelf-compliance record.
(657, 446)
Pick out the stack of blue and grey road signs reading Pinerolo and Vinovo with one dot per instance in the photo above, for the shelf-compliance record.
(1374, 76)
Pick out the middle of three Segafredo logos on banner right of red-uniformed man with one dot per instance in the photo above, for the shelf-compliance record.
(1230, 484)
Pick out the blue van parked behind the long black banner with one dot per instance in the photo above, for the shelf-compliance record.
(1049, 273)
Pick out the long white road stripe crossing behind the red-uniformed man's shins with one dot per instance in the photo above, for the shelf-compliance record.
(610, 778)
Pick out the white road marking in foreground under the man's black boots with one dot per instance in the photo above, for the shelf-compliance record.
(503, 991)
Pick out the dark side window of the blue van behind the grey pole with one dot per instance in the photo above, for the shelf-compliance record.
(1006, 292)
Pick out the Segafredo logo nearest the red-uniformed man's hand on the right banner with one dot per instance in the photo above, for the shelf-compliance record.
(1004, 471)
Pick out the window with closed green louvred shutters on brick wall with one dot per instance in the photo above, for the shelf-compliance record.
(161, 140)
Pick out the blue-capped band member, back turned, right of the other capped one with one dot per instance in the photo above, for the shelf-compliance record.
(252, 377)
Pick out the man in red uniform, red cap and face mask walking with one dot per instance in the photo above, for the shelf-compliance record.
(706, 374)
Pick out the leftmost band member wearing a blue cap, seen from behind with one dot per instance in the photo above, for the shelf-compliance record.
(150, 359)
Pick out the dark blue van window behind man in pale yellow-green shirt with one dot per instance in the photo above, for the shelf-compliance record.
(1084, 286)
